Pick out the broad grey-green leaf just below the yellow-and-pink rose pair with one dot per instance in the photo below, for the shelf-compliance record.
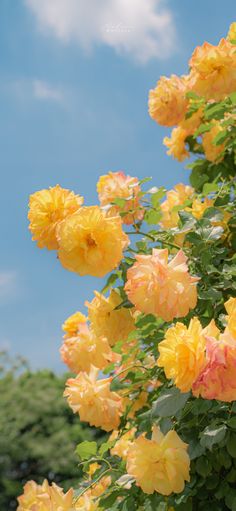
(169, 403)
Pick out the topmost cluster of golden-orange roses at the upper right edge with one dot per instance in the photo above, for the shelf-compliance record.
(212, 76)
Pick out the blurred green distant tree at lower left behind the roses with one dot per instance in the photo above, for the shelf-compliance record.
(38, 432)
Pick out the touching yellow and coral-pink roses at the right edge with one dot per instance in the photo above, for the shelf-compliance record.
(202, 359)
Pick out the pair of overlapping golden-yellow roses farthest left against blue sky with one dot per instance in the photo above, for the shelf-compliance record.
(89, 242)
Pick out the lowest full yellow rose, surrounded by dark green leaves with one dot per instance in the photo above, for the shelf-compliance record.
(160, 464)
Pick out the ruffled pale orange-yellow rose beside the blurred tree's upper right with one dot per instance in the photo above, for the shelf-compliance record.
(93, 400)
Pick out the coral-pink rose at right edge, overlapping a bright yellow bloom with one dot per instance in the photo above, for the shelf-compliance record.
(217, 379)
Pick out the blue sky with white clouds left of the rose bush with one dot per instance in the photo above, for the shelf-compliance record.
(75, 76)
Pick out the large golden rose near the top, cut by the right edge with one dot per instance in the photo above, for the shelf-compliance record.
(213, 70)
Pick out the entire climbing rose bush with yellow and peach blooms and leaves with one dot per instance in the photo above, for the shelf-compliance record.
(154, 362)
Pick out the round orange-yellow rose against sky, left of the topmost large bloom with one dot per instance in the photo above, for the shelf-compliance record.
(167, 102)
